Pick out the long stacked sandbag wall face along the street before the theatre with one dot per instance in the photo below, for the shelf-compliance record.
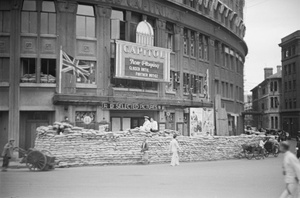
(82, 150)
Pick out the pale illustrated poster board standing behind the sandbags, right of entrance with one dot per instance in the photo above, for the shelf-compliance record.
(201, 121)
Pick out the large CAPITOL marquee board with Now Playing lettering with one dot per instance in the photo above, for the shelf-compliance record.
(142, 62)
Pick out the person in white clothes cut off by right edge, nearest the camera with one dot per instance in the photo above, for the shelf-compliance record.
(291, 172)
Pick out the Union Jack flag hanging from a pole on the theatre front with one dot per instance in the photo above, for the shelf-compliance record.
(73, 66)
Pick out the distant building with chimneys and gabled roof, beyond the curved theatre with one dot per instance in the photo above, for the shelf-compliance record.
(266, 101)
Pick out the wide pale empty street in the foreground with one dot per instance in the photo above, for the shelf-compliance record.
(217, 179)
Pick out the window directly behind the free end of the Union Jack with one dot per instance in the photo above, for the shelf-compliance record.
(90, 67)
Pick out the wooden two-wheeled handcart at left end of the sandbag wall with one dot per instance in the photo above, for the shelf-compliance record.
(38, 160)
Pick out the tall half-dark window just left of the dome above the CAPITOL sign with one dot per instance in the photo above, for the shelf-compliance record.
(117, 25)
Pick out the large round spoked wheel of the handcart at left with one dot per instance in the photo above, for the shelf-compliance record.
(36, 161)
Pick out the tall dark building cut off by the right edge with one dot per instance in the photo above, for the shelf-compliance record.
(290, 104)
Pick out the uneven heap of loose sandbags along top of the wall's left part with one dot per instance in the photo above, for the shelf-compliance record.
(62, 129)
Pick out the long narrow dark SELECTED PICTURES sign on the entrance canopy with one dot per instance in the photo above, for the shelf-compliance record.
(131, 106)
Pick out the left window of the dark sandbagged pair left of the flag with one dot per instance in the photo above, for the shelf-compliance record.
(28, 70)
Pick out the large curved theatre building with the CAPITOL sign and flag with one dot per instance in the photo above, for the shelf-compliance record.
(117, 61)
